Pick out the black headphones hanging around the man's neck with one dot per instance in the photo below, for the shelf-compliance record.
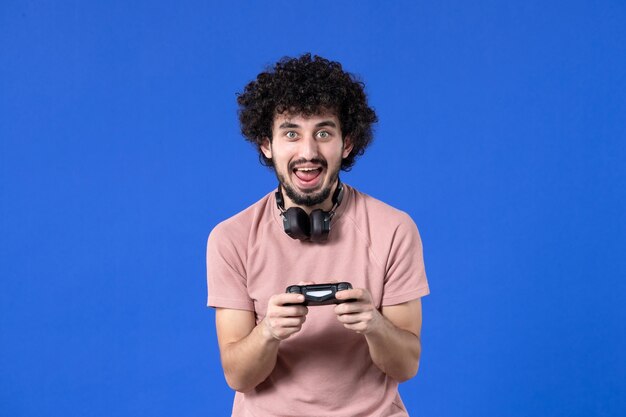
(314, 227)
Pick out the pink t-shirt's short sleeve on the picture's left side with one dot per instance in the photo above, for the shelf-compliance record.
(226, 275)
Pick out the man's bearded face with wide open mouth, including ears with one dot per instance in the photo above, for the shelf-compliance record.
(307, 153)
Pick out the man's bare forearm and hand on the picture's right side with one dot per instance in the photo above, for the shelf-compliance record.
(392, 334)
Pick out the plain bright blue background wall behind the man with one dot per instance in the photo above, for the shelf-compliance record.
(502, 132)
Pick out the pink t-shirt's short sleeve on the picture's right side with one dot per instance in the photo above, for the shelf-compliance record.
(405, 277)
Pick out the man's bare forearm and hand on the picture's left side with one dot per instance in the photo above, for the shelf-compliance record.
(249, 351)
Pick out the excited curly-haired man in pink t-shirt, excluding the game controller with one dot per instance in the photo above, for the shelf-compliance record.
(309, 119)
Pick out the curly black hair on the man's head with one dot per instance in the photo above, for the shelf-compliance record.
(306, 86)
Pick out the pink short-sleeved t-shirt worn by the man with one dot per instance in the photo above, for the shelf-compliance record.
(325, 369)
